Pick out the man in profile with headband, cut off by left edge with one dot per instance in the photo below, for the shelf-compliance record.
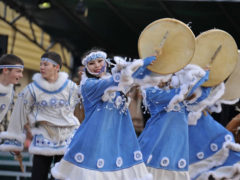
(11, 69)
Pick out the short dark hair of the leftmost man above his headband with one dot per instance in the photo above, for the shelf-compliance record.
(10, 59)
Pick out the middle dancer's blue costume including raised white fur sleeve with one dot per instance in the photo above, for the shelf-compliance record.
(164, 141)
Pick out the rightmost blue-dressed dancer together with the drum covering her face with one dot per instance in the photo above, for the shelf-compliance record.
(213, 154)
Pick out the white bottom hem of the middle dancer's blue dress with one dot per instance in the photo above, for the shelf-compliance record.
(166, 174)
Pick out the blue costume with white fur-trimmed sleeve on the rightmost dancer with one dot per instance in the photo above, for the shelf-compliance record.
(213, 151)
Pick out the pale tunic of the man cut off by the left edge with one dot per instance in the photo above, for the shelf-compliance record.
(6, 99)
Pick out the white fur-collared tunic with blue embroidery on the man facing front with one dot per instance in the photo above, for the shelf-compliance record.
(49, 108)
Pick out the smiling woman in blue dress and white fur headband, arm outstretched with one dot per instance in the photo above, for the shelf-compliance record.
(105, 146)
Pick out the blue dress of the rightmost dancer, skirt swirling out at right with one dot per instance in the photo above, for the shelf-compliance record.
(211, 146)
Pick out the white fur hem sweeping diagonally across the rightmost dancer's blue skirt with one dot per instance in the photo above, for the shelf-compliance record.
(213, 161)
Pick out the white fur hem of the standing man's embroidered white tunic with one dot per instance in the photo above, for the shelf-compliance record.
(45, 151)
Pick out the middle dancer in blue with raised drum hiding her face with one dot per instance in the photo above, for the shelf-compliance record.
(164, 140)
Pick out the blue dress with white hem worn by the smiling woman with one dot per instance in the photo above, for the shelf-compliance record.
(105, 146)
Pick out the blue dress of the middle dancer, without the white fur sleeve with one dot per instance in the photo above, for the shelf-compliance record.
(164, 141)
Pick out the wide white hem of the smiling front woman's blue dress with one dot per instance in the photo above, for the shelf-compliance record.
(65, 170)
